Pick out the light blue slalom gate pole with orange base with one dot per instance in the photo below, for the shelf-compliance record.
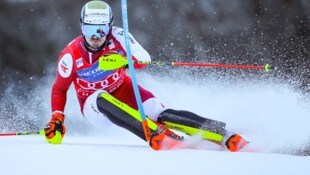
(132, 71)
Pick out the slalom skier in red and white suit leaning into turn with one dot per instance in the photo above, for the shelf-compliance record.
(107, 96)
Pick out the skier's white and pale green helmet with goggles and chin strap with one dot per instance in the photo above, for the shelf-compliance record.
(96, 19)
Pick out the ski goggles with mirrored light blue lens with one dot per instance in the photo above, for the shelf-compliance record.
(99, 31)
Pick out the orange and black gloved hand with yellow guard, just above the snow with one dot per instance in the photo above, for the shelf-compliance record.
(55, 130)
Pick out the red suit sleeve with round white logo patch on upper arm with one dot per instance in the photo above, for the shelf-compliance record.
(64, 77)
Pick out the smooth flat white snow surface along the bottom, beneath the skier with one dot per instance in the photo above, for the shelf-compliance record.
(30, 155)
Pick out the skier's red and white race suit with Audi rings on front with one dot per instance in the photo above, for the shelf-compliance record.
(78, 66)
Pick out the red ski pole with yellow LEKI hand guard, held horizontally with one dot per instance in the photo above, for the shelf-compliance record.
(115, 61)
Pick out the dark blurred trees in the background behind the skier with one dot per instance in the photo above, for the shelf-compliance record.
(33, 32)
